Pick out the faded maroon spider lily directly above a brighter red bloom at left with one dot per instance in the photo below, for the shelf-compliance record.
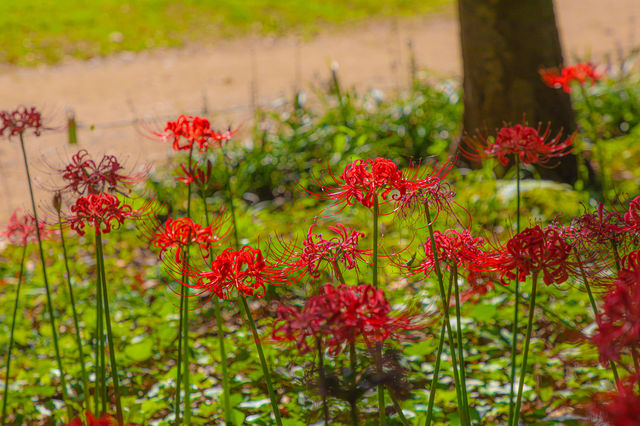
(87, 177)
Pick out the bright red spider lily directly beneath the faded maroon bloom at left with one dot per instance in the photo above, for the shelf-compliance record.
(104, 211)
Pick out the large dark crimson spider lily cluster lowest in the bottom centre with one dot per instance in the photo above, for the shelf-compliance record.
(341, 315)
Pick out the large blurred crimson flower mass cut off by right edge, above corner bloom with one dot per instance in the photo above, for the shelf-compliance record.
(619, 321)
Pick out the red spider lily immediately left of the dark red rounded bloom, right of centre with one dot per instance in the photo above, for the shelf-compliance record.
(455, 248)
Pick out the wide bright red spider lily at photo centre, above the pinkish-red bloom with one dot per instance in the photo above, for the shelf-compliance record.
(364, 180)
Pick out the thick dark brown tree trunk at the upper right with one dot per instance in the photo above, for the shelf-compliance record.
(504, 44)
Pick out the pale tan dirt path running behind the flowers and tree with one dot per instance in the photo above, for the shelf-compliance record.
(230, 73)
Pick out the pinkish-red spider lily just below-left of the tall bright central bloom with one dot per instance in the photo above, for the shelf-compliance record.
(318, 252)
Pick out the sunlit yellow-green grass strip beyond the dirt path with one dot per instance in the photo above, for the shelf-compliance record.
(47, 31)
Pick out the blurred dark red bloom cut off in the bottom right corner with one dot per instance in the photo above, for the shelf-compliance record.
(620, 407)
